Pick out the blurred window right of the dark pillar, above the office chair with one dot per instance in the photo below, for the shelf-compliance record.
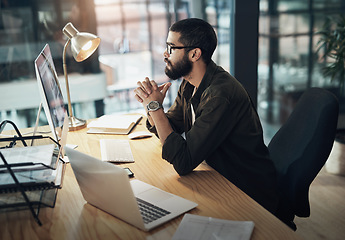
(288, 63)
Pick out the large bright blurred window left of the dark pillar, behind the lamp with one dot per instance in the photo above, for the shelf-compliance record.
(133, 35)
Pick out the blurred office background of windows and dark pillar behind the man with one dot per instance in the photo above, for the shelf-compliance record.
(269, 45)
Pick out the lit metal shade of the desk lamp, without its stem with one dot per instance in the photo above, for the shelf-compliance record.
(83, 45)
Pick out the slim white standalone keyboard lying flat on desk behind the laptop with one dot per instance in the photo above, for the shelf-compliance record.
(116, 150)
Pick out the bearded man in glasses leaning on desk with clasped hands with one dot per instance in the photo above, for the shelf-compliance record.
(214, 111)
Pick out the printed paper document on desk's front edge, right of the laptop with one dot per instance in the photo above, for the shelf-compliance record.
(194, 227)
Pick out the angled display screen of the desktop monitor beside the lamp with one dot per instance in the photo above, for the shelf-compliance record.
(50, 91)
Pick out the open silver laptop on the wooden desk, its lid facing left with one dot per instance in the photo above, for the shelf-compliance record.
(107, 187)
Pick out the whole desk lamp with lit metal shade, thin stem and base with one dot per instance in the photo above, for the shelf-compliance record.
(83, 45)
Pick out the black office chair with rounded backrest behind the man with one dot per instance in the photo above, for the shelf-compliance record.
(300, 148)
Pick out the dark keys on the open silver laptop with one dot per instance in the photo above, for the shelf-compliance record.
(150, 212)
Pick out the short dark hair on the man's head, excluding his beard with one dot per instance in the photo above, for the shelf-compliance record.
(197, 32)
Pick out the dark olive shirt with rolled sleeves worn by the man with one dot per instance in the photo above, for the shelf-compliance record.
(227, 133)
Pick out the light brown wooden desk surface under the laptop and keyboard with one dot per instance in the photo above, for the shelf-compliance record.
(73, 218)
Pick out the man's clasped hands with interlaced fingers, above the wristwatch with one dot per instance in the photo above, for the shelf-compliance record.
(148, 91)
